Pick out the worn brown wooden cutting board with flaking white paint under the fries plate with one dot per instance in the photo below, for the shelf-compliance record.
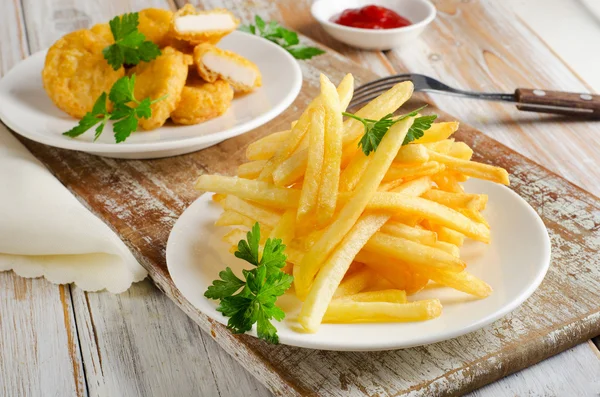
(141, 200)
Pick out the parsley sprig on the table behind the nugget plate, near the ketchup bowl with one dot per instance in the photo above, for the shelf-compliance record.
(281, 36)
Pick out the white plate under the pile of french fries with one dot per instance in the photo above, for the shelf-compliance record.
(514, 264)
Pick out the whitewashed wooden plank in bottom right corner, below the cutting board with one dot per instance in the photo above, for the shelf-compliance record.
(572, 373)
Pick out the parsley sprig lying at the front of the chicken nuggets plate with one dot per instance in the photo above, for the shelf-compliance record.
(127, 110)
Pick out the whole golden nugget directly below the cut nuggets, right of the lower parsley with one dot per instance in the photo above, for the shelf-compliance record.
(201, 101)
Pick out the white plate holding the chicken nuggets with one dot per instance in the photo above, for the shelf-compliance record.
(26, 109)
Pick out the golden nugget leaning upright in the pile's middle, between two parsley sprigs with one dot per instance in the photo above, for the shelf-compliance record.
(165, 75)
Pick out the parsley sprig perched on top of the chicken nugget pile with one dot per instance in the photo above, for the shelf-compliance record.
(130, 45)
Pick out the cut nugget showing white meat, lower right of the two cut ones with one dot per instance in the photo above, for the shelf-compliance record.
(214, 63)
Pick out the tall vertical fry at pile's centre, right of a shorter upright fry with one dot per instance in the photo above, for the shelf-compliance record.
(332, 157)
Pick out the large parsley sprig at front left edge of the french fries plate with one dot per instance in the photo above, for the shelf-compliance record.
(255, 301)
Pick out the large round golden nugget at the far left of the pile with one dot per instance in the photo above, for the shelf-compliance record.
(75, 72)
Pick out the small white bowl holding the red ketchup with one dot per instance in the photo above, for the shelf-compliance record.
(419, 12)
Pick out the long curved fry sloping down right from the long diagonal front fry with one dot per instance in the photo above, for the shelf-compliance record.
(430, 210)
